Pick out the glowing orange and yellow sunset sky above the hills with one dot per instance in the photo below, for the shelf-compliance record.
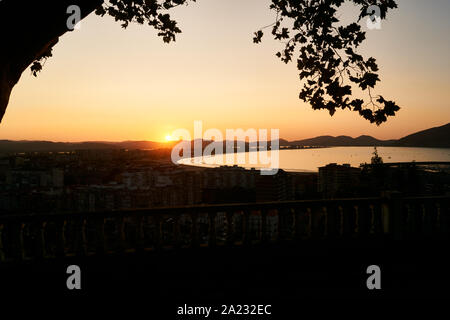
(107, 83)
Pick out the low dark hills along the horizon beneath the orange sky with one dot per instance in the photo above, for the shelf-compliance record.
(438, 137)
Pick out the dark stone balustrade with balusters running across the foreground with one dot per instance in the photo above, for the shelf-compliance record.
(31, 237)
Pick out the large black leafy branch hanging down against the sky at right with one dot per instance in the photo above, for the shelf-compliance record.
(327, 59)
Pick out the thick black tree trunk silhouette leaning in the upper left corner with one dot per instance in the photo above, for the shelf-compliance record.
(28, 30)
